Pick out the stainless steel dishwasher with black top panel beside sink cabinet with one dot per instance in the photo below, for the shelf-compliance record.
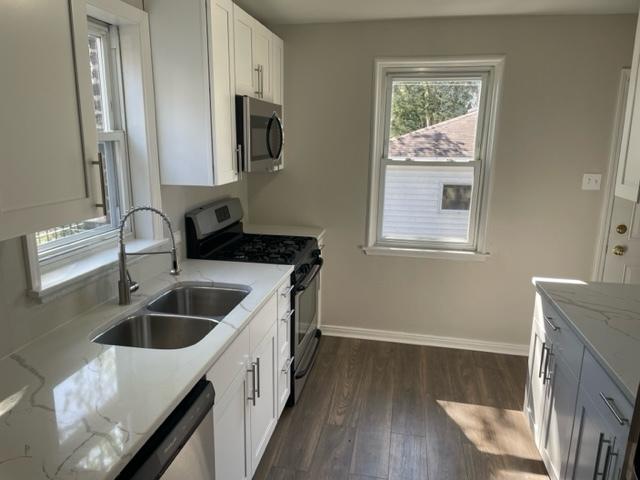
(182, 447)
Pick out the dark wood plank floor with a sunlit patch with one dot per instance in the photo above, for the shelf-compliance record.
(377, 410)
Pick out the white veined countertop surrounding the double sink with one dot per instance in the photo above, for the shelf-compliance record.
(73, 409)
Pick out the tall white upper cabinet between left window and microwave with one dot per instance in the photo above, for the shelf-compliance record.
(193, 58)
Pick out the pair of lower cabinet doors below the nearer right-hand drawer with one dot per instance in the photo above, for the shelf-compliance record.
(595, 450)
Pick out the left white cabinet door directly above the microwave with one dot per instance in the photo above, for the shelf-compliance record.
(243, 41)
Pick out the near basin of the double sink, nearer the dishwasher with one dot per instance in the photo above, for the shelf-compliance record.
(146, 330)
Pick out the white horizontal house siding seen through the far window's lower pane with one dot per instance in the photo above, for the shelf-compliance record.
(412, 200)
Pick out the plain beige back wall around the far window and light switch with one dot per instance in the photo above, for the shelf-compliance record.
(560, 87)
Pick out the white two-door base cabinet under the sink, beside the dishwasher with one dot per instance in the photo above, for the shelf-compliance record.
(248, 396)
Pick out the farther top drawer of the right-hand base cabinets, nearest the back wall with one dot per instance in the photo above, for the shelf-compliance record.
(564, 342)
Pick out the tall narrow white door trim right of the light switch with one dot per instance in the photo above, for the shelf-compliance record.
(612, 170)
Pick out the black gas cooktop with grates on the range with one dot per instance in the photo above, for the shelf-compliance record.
(277, 249)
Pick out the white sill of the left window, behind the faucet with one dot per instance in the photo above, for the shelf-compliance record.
(73, 275)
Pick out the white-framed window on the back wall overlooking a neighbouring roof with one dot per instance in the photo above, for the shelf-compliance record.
(432, 154)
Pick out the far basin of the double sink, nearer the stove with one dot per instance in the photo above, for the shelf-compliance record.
(197, 300)
